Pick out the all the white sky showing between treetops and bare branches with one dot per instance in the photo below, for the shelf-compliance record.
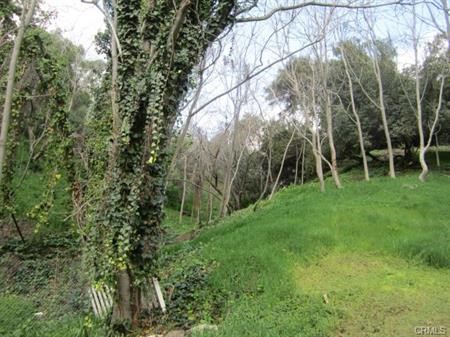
(80, 22)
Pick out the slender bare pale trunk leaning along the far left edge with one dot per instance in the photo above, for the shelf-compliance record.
(27, 15)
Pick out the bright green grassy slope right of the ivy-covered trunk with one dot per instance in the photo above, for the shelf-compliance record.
(380, 250)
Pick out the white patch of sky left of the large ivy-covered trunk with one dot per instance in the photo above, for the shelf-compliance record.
(78, 21)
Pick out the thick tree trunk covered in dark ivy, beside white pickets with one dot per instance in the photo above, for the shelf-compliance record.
(161, 42)
